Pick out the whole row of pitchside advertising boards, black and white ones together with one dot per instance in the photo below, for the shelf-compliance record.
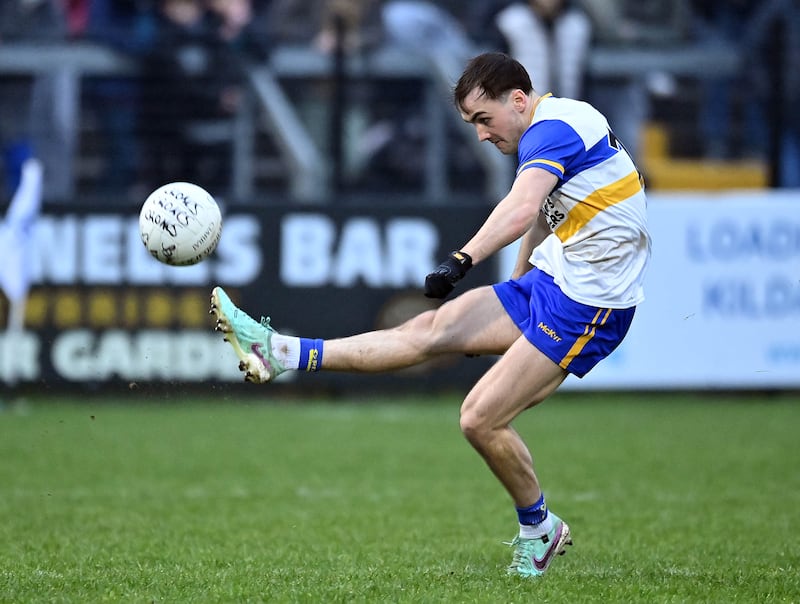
(722, 308)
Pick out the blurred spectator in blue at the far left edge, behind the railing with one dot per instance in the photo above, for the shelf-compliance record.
(32, 109)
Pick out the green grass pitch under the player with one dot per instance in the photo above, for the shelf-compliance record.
(670, 498)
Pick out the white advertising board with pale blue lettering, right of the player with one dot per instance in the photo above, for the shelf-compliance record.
(722, 306)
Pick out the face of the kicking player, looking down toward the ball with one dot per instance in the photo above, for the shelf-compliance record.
(499, 121)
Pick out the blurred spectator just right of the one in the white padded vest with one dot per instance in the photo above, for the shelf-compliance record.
(634, 24)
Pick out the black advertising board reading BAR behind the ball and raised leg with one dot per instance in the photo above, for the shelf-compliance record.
(101, 311)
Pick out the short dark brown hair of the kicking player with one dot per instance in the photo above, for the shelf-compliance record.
(495, 73)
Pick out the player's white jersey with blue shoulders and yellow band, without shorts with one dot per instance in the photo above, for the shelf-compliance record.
(600, 247)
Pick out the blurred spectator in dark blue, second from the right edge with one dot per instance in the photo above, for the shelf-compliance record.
(723, 24)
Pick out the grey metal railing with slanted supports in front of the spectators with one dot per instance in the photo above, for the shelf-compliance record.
(305, 168)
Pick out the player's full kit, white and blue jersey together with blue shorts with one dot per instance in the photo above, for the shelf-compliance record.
(577, 303)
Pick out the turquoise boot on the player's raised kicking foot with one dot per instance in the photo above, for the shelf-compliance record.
(251, 340)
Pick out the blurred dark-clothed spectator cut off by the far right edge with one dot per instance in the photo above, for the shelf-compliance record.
(772, 63)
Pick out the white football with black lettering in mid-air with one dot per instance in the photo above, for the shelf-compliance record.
(180, 224)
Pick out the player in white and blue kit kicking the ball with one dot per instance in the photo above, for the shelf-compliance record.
(578, 208)
